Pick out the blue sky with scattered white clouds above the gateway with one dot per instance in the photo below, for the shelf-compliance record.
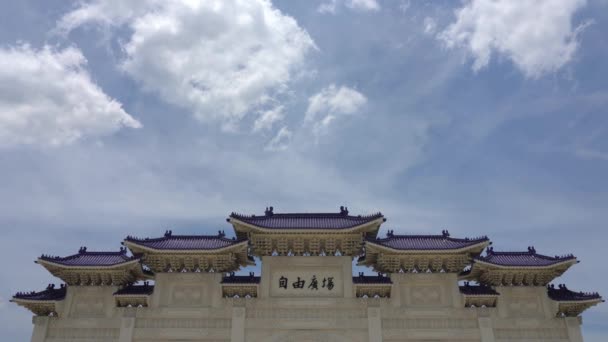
(131, 117)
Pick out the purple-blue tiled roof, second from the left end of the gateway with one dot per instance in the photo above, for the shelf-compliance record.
(86, 258)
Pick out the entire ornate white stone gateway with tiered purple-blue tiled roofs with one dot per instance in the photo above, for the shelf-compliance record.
(429, 287)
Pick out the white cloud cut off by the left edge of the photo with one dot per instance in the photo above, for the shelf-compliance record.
(48, 98)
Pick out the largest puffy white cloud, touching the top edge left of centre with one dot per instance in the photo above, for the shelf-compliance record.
(220, 59)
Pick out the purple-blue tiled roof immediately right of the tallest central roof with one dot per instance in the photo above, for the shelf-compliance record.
(426, 242)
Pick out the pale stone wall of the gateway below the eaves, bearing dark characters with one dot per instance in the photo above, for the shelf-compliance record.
(189, 307)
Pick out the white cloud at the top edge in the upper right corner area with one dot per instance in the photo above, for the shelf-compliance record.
(537, 35)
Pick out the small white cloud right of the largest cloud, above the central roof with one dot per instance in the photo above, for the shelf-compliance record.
(331, 102)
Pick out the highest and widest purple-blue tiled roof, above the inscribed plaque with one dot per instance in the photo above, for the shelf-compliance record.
(271, 220)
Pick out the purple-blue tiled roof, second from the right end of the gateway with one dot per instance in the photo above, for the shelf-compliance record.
(525, 259)
